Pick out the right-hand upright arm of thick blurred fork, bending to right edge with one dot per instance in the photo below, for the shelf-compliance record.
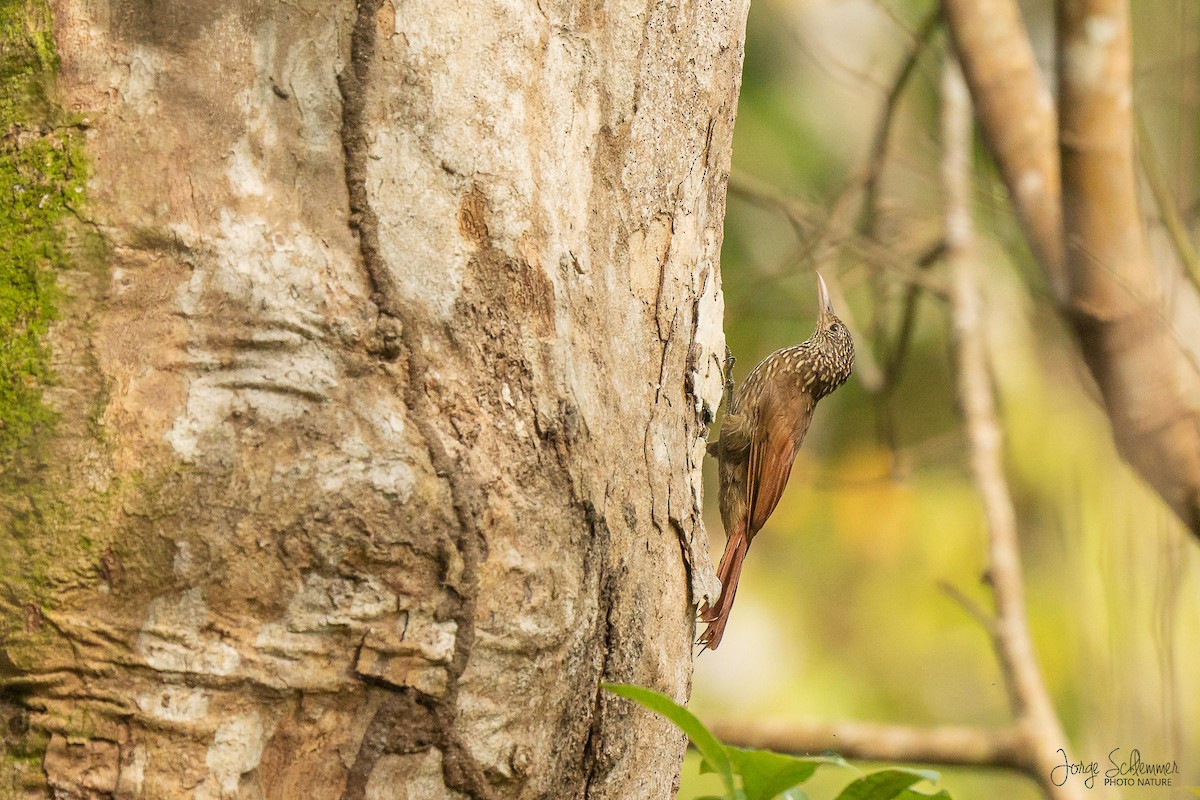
(1151, 387)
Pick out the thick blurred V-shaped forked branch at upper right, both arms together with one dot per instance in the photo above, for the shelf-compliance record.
(1071, 176)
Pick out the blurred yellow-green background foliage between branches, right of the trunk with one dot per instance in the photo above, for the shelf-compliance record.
(842, 613)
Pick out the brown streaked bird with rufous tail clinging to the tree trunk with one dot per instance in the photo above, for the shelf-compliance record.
(764, 428)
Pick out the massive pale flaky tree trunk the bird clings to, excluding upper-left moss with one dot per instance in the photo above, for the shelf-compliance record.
(381, 420)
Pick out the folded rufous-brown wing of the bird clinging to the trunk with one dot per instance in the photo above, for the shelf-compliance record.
(772, 453)
